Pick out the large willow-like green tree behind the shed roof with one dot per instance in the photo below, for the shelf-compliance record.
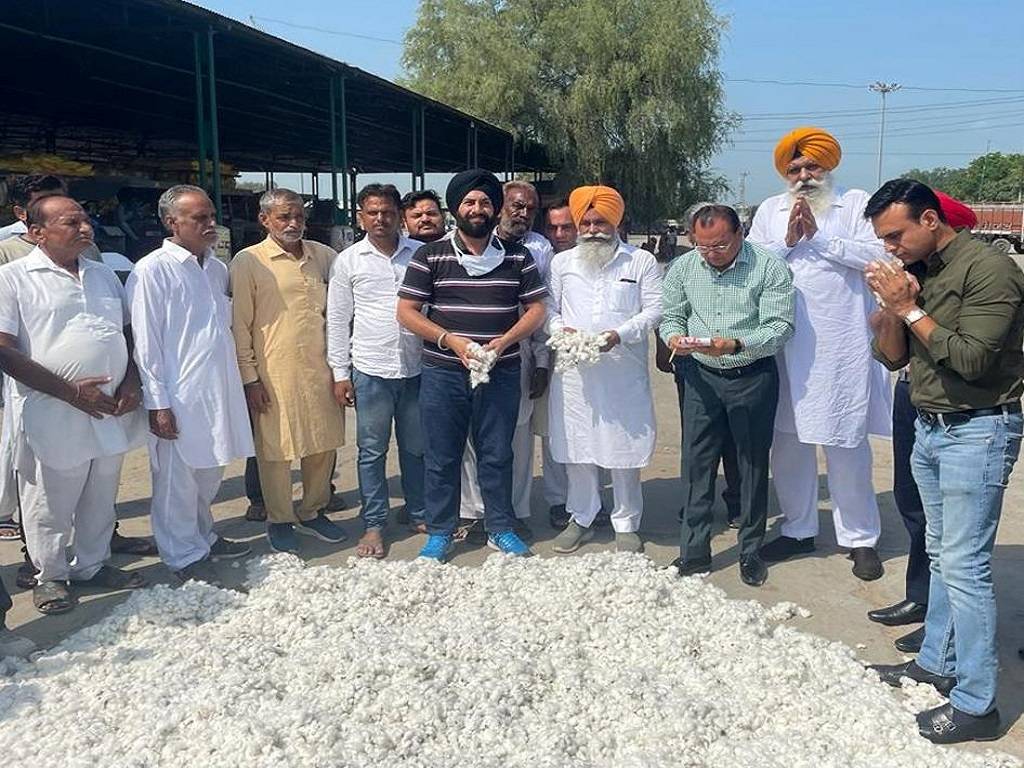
(625, 93)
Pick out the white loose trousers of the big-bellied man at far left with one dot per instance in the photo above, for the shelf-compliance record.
(65, 505)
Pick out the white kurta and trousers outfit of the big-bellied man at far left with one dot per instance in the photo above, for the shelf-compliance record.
(68, 463)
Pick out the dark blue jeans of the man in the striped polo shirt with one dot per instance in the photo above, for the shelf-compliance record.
(451, 411)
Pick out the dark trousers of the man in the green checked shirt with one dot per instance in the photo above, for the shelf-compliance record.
(740, 405)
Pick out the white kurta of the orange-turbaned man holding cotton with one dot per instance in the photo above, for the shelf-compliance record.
(604, 414)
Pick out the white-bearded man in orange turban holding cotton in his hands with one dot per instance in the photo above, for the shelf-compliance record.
(603, 415)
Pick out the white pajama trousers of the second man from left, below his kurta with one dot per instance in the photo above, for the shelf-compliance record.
(183, 524)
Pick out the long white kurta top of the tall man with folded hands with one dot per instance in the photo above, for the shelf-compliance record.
(832, 392)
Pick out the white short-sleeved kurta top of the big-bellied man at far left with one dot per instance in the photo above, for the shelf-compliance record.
(73, 326)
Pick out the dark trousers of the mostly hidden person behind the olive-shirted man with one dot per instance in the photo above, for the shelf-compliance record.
(906, 494)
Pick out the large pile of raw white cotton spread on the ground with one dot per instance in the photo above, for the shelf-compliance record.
(602, 661)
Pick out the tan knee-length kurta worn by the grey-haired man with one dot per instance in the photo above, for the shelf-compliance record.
(279, 324)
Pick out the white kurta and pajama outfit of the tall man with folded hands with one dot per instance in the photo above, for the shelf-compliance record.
(832, 392)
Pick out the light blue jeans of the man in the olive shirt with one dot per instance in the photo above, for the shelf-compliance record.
(962, 473)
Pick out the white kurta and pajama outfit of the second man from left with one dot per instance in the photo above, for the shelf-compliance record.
(186, 356)
